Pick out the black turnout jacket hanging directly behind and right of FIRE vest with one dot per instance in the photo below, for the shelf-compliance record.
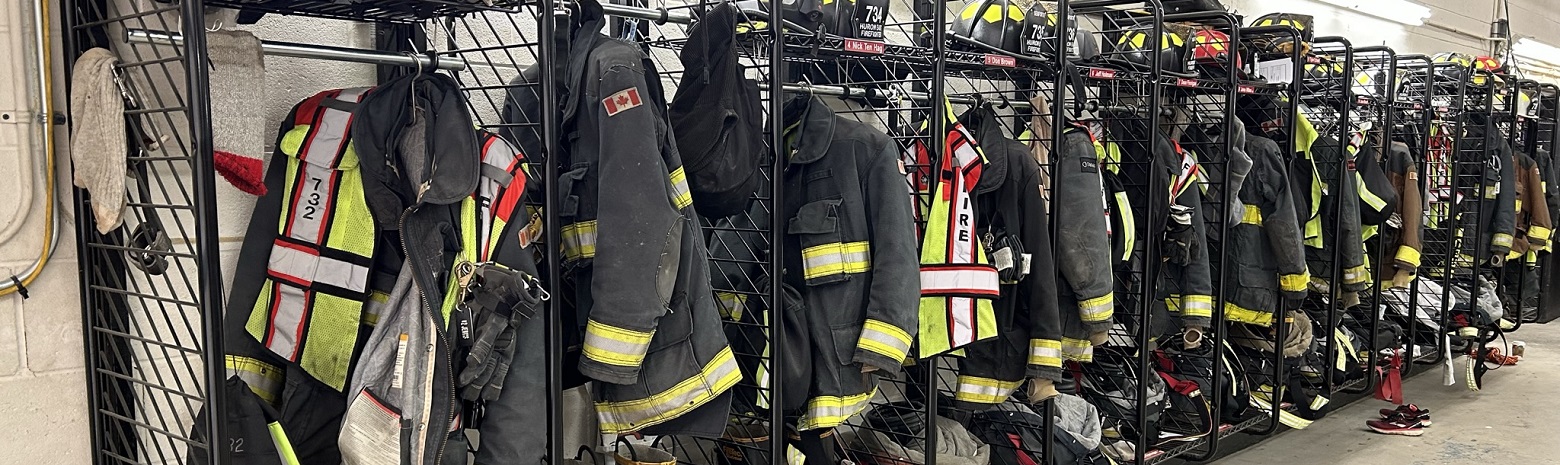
(1013, 224)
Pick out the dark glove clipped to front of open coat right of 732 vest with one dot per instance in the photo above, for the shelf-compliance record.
(502, 299)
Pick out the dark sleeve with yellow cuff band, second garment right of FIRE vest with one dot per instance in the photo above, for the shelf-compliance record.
(1083, 250)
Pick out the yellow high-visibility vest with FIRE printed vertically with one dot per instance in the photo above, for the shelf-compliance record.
(959, 285)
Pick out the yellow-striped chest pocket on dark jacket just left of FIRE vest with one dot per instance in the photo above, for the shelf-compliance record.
(826, 255)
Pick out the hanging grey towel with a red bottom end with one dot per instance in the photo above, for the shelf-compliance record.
(238, 101)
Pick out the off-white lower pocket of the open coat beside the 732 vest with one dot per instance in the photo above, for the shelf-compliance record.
(374, 431)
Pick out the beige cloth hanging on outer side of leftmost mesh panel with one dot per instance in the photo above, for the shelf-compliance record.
(97, 140)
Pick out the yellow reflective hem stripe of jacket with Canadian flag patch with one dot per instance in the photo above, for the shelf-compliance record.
(717, 377)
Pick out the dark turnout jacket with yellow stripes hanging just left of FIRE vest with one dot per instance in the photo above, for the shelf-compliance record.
(851, 269)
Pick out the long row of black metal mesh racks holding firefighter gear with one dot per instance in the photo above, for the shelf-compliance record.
(143, 410)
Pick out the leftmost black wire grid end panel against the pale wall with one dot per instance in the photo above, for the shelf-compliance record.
(152, 310)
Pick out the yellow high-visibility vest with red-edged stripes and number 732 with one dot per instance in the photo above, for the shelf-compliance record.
(316, 293)
